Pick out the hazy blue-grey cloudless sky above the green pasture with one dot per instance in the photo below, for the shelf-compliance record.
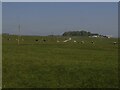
(45, 18)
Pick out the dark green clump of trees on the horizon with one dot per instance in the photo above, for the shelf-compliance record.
(78, 33)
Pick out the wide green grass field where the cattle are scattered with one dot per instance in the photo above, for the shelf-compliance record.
(59, 65)
